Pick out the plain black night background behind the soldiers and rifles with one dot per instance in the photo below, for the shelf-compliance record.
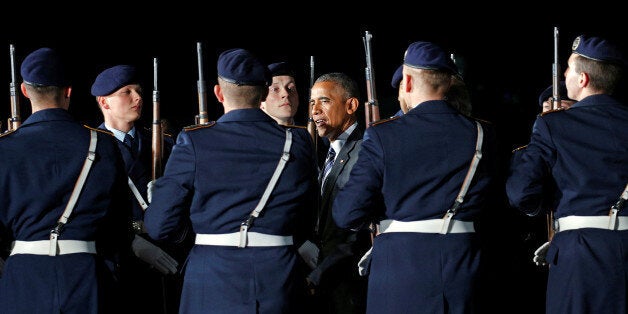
(507, 51)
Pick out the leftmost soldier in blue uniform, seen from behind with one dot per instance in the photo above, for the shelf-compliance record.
(65, 202)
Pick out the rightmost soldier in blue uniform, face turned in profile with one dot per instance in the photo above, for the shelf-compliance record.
(584, 152)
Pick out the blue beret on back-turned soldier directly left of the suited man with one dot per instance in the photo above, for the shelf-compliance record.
(239, 66)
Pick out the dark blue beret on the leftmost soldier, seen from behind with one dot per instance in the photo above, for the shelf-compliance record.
(44, 67)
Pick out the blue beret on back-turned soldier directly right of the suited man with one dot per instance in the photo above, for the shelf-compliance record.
(429, 56)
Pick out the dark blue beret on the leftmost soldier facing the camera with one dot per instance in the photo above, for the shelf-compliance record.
(112, 79)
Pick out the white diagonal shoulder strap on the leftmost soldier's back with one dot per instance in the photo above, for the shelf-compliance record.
(91, 155)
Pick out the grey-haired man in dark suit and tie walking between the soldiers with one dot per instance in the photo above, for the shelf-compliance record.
(335, 279)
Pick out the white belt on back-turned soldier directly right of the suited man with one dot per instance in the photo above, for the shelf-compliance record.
(425, 226)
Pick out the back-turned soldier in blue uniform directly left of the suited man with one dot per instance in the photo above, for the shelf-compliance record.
(248, 186)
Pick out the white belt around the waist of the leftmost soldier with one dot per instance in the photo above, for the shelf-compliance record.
(63, 246)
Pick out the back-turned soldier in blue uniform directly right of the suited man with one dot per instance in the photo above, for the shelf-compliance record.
(433, 167)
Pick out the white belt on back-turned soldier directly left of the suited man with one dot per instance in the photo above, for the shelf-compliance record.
(233, 239)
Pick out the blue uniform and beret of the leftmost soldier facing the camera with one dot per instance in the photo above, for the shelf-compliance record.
(145, 287)
